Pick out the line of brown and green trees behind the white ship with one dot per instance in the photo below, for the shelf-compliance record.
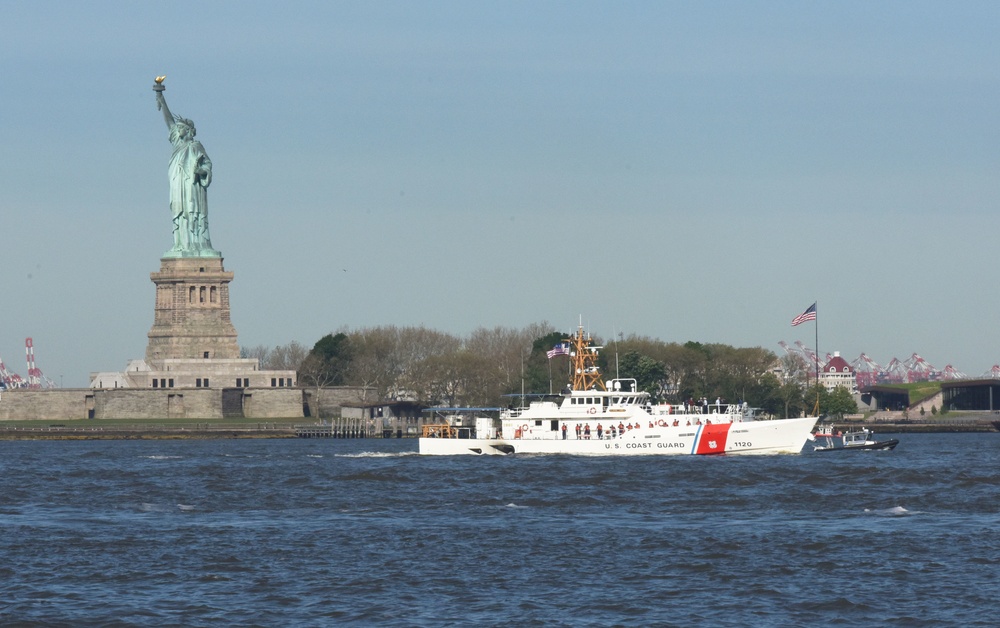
(437, 368)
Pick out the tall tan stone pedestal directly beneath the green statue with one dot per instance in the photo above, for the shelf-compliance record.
(192, 312)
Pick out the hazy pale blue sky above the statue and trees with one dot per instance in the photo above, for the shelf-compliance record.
(681, 170)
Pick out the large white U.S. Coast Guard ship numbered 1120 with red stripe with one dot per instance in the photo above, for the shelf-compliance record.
(614, 418)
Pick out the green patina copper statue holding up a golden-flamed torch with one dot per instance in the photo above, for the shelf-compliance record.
(190, 174)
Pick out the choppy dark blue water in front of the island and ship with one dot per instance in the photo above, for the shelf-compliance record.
(321, 532)
